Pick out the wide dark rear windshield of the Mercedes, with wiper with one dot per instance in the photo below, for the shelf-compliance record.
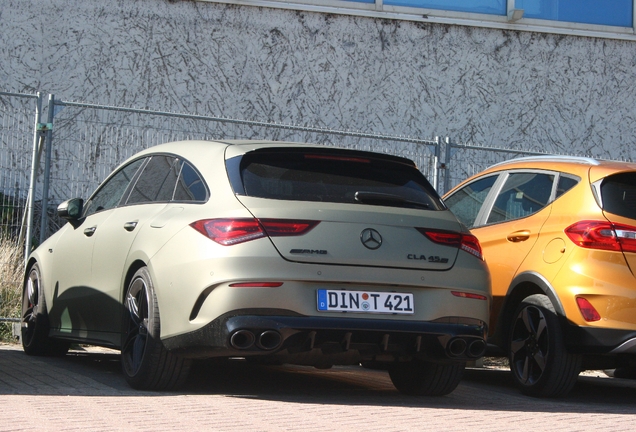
(334, 176)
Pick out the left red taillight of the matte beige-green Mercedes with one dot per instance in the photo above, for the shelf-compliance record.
(229, 232)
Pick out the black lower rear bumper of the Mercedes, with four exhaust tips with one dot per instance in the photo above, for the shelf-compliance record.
(290, 337)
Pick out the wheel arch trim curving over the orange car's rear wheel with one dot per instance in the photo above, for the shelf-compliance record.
(523, 285)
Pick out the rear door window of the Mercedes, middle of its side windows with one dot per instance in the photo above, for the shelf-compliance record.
(157, 181)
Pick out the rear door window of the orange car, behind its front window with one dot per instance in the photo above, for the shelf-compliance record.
(522, 195)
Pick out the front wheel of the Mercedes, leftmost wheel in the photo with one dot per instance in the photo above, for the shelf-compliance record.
(35, 321)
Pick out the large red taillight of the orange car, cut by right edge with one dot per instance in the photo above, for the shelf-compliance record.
(603, 235)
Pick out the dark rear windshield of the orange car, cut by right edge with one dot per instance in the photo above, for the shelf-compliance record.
(619, 194)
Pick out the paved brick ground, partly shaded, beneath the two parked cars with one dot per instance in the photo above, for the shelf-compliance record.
(85, 390)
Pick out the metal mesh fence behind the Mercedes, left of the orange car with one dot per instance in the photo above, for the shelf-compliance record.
(52, 150)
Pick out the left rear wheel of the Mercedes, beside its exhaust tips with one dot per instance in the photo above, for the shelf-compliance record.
(146, 363)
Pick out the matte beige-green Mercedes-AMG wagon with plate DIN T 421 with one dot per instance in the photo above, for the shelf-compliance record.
(278, 252)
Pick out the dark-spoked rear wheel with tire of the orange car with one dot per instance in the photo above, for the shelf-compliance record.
(540, 363)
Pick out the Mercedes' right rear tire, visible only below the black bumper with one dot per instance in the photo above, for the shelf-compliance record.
(422, 378)
